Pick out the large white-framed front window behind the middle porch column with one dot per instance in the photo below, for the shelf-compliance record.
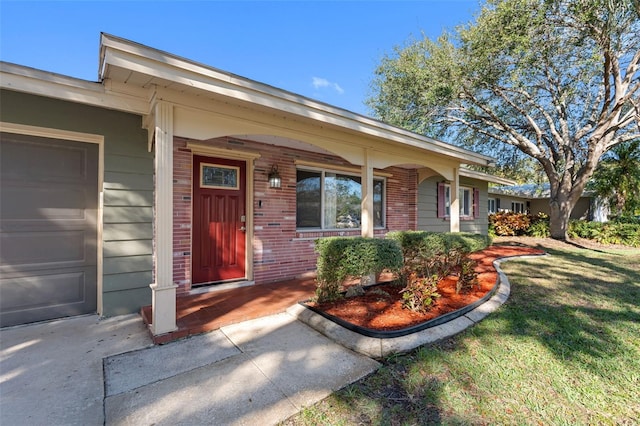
(329, 200)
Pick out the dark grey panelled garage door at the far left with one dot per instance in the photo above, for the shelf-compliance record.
(48, 228)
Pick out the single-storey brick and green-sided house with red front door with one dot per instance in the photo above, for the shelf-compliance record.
(167, 175)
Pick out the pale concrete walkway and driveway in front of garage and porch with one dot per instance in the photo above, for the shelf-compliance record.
(84, 371)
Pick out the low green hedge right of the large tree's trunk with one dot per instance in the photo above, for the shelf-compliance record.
(606, 233)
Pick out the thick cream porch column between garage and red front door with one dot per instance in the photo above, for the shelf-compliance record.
(163, 290)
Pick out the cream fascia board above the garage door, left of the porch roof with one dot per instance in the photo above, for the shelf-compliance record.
(29, 80)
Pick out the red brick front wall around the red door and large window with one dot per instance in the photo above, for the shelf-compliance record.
(279, 250)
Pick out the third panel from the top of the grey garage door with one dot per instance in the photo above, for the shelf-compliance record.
(38, 249)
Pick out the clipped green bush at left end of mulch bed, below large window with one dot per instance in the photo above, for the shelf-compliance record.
(340, 258)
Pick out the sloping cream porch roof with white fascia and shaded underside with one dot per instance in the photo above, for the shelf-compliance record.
(148, 73)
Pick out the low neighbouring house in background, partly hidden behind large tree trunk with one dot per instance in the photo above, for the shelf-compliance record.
(534, 199)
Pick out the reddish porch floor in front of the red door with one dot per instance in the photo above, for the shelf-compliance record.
(199, 313)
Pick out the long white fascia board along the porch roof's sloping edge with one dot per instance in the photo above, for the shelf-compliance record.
(123, 53)
